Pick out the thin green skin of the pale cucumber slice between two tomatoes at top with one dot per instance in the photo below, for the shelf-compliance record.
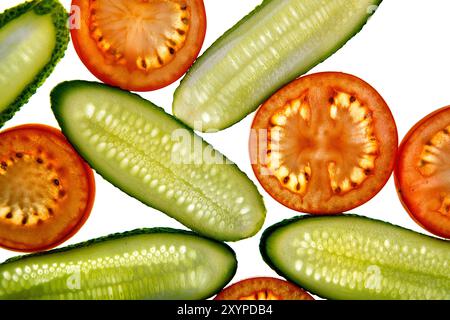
(222, 39)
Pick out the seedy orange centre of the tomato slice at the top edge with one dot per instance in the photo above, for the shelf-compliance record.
(150, 50)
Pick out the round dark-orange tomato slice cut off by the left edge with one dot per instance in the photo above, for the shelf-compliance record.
(46, 189)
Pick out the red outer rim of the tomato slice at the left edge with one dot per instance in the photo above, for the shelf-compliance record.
(56, 135)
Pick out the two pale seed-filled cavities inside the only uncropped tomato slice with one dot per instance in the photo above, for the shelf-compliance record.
(298, 113)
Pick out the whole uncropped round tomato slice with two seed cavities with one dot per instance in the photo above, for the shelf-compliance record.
(324, 144)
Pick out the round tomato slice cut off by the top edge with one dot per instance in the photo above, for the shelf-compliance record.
(138, 45)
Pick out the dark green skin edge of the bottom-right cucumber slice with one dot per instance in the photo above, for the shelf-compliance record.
(270, 230)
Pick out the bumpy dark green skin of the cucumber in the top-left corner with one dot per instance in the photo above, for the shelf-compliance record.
(59, 16)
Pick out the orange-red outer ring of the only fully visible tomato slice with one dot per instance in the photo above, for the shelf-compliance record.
(387, 133)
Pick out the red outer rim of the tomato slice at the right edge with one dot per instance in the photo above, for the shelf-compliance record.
(441, 229)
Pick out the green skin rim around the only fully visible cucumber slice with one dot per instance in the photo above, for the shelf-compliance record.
(58, 91)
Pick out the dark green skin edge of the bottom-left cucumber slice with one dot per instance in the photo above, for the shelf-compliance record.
(122, 235)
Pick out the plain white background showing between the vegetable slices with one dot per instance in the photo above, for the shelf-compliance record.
(403, 52)
